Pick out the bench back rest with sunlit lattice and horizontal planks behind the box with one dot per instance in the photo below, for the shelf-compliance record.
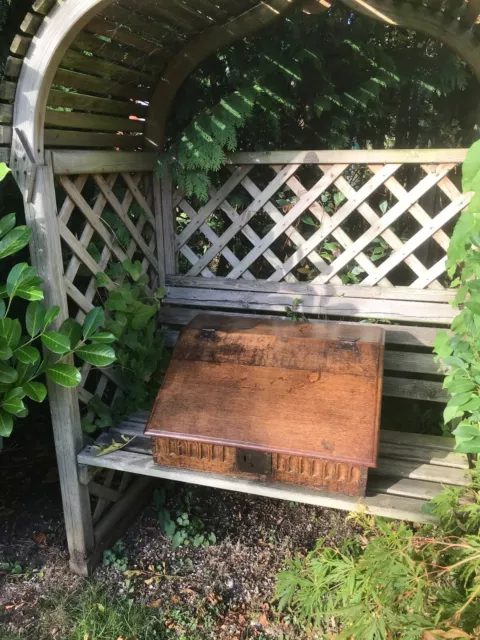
(337, 235)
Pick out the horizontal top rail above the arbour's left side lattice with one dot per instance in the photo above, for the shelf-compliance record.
(89, 162)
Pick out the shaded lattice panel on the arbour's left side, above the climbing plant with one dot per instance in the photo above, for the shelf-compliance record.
(103, 219)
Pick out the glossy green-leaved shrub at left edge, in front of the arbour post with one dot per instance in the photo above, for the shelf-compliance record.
(22, 366)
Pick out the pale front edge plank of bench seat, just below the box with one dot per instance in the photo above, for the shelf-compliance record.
(379, 504)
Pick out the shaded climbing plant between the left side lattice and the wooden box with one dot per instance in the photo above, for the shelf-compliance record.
(130, 308)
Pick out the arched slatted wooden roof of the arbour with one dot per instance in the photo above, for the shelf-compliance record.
(126, 59)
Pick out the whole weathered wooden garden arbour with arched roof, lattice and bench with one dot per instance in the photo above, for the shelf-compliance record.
(72, 180)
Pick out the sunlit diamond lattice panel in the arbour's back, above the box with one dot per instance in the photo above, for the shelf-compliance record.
(375, 225)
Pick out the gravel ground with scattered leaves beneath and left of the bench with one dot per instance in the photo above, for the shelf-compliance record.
(232, 581)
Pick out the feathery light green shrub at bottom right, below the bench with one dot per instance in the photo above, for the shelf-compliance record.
(393, 583)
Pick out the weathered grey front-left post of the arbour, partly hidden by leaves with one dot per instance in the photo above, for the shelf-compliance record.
(46, 252)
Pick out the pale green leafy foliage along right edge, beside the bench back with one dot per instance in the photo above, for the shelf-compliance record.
(461, 353)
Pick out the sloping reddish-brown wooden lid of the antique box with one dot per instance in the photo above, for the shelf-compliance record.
(307, 389)
